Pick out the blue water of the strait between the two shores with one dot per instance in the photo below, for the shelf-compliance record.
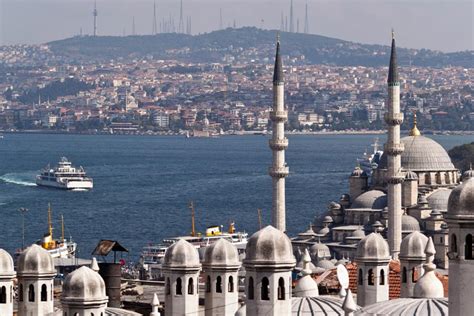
(142, 185)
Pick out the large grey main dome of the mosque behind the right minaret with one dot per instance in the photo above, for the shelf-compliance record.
(422, 153)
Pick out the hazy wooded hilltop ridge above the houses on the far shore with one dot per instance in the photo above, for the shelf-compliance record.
(212, 47)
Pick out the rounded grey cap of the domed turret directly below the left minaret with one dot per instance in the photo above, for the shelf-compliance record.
(269, 246)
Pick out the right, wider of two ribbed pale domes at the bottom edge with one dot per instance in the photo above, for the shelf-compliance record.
(408, 306)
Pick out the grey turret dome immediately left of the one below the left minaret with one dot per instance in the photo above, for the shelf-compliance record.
(221, 254)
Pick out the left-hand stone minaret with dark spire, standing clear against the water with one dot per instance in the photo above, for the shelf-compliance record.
(278, 171)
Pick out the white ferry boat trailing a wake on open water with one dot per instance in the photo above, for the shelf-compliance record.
(64, 176)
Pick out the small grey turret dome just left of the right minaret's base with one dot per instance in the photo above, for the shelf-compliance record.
(373, 248)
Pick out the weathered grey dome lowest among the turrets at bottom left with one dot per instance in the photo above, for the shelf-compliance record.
(84, 284)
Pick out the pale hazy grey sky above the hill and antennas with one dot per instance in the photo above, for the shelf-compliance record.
(445, 25)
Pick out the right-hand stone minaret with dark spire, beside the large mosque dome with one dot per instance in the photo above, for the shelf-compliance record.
(393, 149)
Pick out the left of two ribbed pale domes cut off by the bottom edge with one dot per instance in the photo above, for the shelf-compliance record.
(319, 305)
